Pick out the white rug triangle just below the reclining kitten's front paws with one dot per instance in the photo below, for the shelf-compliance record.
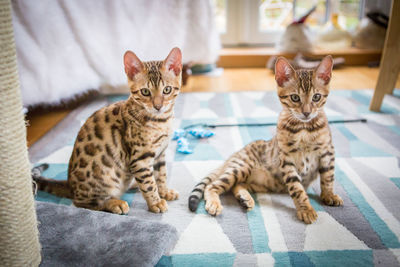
(327, 234)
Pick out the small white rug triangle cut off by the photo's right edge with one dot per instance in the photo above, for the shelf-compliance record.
(388, 167)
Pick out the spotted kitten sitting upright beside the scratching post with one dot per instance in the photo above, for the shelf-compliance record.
(126, 141)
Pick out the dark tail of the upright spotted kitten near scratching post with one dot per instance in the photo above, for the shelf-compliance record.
(55, 187)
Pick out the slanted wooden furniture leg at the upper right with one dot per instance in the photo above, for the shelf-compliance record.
(390, 62)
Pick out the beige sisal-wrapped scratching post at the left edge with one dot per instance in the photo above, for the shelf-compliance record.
(19, 240)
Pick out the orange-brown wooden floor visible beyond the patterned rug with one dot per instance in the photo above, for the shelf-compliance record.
(231, 80)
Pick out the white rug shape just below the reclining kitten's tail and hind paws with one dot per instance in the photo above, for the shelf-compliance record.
(203, 235)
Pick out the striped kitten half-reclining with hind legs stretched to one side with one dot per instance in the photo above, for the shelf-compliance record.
(301, 149)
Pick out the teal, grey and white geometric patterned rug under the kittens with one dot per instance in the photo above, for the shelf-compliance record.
(364, 232)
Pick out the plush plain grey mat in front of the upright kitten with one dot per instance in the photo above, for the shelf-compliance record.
(73, 236)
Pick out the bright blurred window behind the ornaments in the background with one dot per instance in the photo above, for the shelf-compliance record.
(251, 22)
